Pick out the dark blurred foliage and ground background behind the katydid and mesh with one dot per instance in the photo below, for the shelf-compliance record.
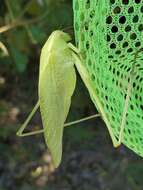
(89, 160)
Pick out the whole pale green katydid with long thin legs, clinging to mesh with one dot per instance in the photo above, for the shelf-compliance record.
(57, 80)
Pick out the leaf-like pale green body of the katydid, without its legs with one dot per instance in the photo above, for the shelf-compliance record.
(57, 81)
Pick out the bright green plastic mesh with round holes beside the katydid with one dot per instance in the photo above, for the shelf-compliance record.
(109, 33)
